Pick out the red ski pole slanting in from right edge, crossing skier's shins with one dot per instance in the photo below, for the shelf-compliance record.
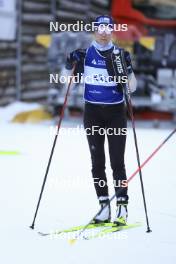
(129, 179)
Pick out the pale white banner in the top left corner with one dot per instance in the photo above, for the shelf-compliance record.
(7, 19)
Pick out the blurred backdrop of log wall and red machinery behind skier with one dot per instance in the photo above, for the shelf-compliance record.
(29, 52)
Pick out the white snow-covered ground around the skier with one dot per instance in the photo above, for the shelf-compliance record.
(69, 199)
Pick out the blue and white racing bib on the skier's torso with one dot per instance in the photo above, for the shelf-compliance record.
(100, 88)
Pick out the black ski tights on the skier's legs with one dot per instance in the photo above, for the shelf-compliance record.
(112, 119)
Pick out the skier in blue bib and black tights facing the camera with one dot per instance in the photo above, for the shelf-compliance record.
(105, 110)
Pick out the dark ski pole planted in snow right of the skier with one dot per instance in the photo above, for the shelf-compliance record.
(130, 110)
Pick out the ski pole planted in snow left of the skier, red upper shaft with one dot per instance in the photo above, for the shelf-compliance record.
(53, 147)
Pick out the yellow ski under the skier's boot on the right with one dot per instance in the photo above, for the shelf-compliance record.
(112, 230)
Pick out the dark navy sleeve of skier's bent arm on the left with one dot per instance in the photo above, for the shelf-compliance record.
(75, 56)
